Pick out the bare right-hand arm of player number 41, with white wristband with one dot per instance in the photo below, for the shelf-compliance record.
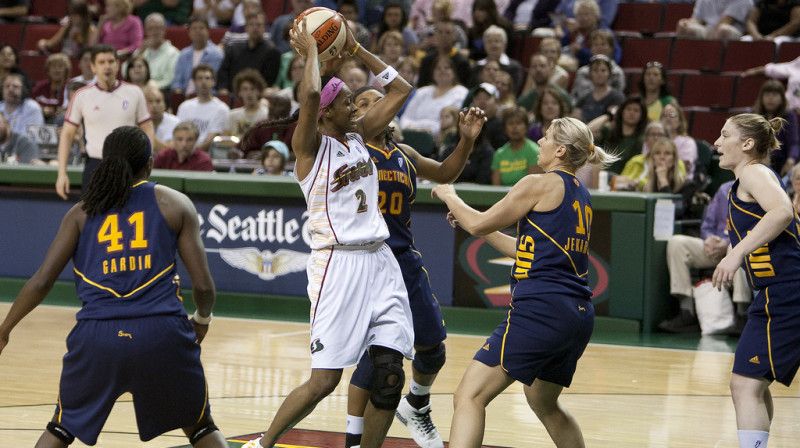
(181, 215)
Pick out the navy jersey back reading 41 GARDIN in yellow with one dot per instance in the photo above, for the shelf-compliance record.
(125, 261)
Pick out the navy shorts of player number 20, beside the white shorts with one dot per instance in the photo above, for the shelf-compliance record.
(429, 329)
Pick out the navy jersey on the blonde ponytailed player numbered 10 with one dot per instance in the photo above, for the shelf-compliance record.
(553, 246)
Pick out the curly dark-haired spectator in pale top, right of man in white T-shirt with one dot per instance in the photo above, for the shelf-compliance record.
(247, 85)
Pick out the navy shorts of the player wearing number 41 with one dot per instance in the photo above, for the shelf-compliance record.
(154, 358)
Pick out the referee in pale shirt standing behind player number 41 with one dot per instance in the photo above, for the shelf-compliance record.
(101, 107)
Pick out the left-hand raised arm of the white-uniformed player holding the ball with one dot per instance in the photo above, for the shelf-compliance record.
(306, 137)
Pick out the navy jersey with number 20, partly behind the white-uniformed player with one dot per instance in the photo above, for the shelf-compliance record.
(397, 177)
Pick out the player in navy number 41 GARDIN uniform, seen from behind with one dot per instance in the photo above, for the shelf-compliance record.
(132, 333)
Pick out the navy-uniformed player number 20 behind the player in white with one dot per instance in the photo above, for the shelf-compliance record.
(399, 166)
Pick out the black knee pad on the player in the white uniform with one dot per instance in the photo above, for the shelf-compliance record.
(387, 377)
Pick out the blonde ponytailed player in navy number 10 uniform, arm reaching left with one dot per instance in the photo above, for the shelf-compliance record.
(551, 316)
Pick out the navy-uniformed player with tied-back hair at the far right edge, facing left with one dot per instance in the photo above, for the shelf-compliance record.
(764, 234)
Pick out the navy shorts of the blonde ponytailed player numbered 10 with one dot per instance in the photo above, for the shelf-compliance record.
(542, 338)
